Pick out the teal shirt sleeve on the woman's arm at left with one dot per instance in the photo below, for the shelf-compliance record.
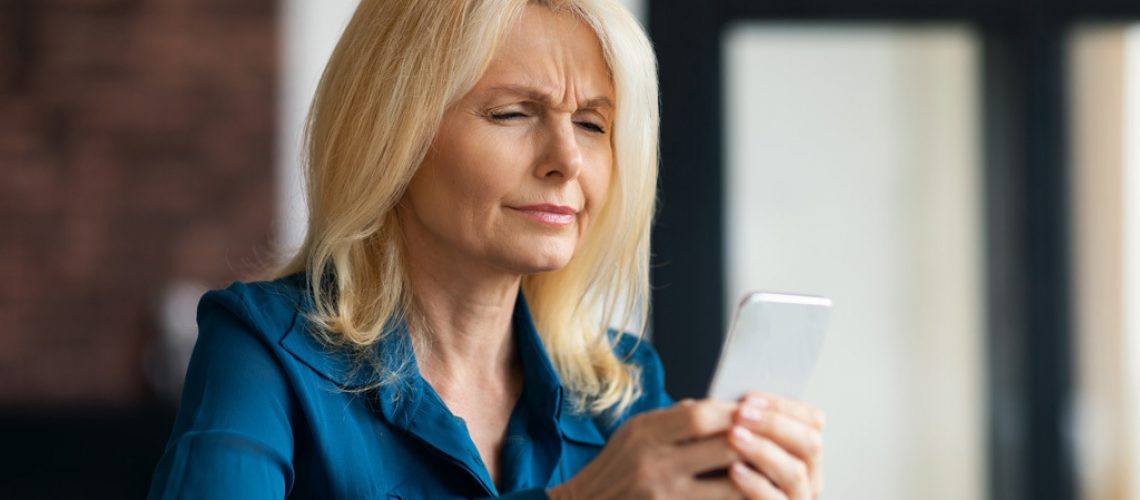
(233, 437)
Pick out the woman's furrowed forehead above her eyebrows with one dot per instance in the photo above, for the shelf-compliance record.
(553, 52)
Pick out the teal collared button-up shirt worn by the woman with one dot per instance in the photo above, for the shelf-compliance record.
(265, 414)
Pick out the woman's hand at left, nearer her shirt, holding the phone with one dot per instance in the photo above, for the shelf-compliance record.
(659, 455)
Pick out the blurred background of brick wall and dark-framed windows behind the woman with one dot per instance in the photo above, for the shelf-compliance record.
(963, 178)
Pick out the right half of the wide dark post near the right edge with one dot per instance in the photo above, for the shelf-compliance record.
(1049, 333)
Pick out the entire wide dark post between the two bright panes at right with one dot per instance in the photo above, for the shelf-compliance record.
(1029, 266)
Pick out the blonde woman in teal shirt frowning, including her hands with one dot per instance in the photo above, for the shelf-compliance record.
(482, 182)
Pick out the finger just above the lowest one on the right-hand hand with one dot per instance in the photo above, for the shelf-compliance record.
(789, 474)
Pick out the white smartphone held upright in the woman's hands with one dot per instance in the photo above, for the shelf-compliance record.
(772, 346)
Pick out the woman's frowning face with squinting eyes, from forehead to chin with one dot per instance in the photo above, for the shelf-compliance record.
(520, 167)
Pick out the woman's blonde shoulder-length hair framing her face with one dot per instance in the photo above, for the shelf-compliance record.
(396, 70)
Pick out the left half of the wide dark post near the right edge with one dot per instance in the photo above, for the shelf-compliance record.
(1005, 165)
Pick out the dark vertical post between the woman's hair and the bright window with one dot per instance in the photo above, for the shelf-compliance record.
(688, 239)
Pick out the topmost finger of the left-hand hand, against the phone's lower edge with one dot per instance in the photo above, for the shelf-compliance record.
(690, 420)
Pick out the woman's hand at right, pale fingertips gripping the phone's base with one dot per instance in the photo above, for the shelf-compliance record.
(781, 442)
